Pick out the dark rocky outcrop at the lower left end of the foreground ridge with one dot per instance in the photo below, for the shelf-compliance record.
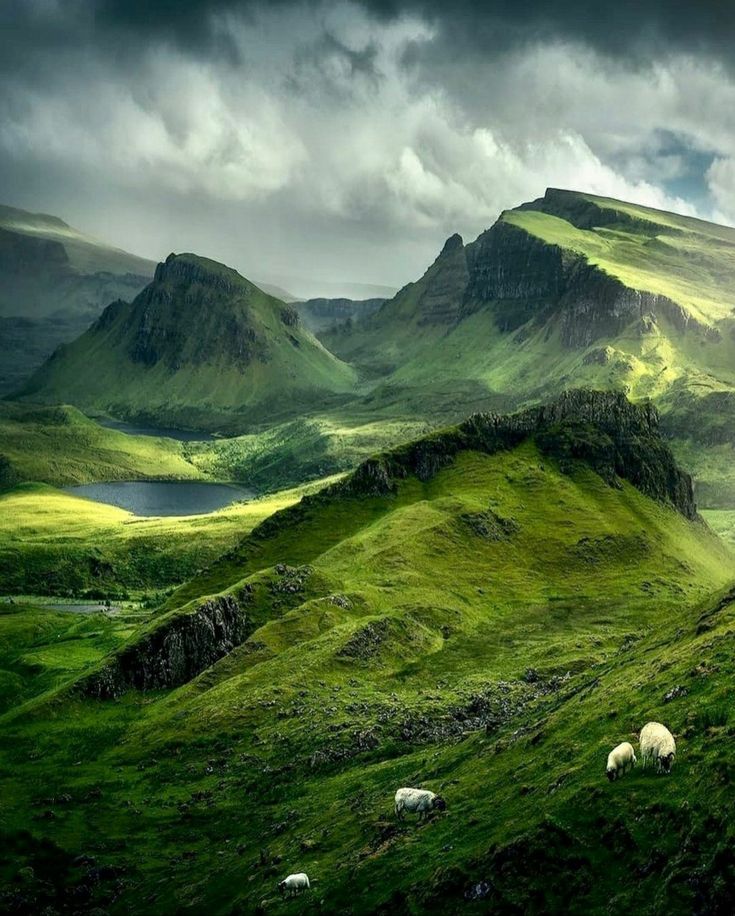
(173, 653)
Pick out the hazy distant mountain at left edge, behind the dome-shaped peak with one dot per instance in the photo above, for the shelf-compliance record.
(54, 281)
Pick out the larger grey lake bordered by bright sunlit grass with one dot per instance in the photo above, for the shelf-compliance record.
(163, 497)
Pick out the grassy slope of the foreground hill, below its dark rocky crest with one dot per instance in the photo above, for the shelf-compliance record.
(296, 742)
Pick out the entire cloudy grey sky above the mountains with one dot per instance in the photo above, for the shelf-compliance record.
(328, 142)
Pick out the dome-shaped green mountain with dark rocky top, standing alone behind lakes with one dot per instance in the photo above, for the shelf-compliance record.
(200, 347)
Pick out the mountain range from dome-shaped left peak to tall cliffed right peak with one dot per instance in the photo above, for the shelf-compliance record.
(568, 290)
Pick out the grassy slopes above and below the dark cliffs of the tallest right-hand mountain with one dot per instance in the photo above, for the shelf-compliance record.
(442, 373)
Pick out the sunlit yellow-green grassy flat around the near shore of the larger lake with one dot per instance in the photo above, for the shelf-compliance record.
(55, 543)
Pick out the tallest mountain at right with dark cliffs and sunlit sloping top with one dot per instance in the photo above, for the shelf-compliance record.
(567, 290)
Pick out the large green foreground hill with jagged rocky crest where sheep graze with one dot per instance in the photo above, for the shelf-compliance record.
(485, 612)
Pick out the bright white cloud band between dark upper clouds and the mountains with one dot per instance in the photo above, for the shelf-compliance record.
(324, 121)
